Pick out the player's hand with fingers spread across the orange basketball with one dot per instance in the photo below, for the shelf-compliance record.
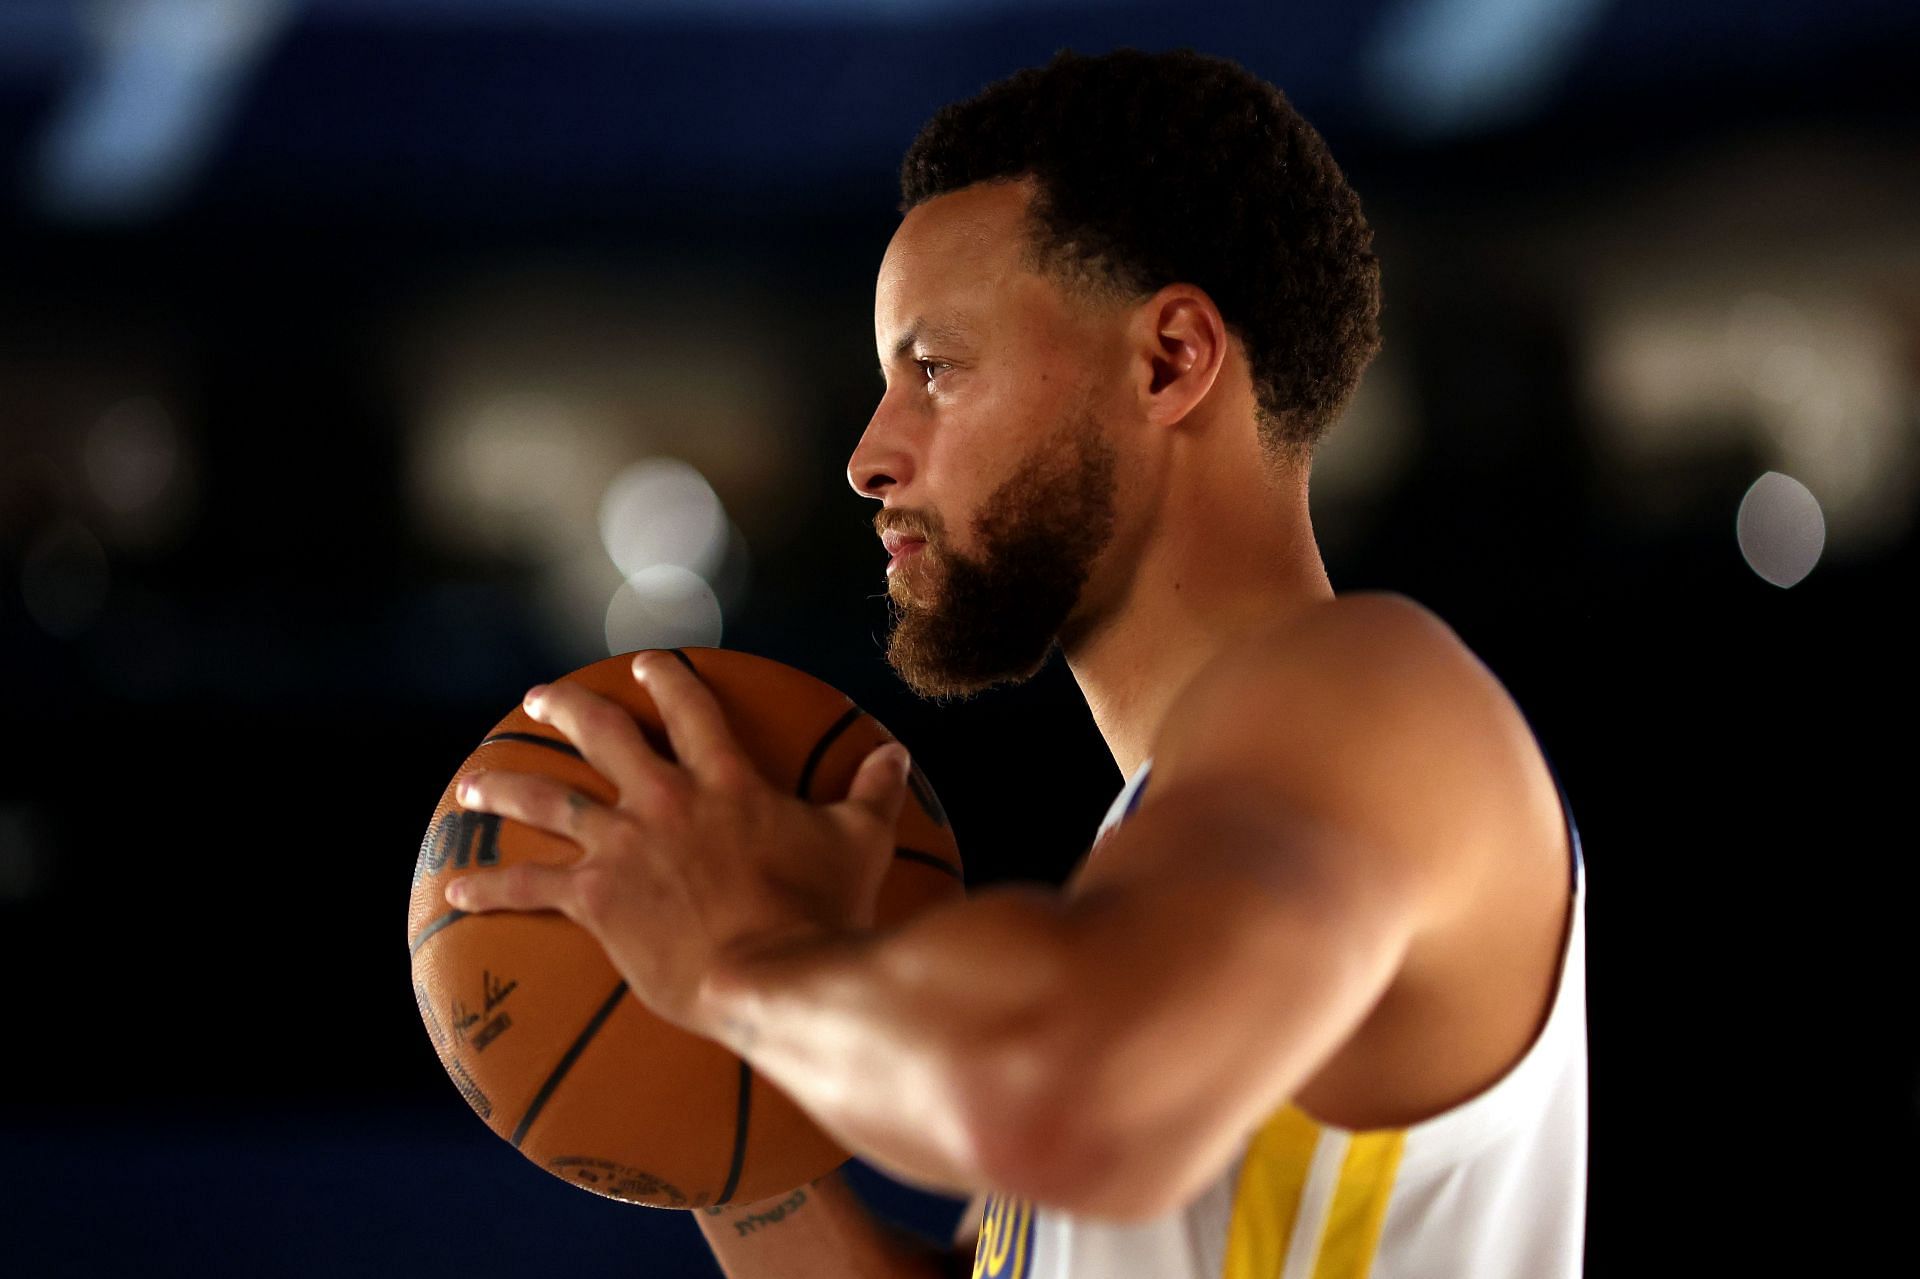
(698, 863)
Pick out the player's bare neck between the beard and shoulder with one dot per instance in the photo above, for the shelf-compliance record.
(1228, 554)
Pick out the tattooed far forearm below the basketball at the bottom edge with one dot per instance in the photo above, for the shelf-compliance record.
(817, 1232)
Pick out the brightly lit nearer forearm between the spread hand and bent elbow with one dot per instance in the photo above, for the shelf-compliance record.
(905, 1044)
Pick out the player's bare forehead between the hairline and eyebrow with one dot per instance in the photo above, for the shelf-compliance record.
(955, 256)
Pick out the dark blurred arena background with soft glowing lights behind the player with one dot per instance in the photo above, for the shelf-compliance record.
(350, 352)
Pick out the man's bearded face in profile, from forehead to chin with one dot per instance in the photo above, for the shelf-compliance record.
(988, 445)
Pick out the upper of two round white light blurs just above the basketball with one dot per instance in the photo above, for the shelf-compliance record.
(663, 512)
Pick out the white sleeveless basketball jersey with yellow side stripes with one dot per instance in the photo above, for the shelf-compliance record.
(1489, 1190)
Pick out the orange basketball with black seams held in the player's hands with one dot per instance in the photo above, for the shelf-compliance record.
(537, 1028)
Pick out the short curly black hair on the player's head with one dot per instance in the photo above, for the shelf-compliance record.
(1182, 168)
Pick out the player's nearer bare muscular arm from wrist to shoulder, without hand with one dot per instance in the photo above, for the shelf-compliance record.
(1103, 1051)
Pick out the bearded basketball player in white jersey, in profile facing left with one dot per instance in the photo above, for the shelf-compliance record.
(1314, 1003)
